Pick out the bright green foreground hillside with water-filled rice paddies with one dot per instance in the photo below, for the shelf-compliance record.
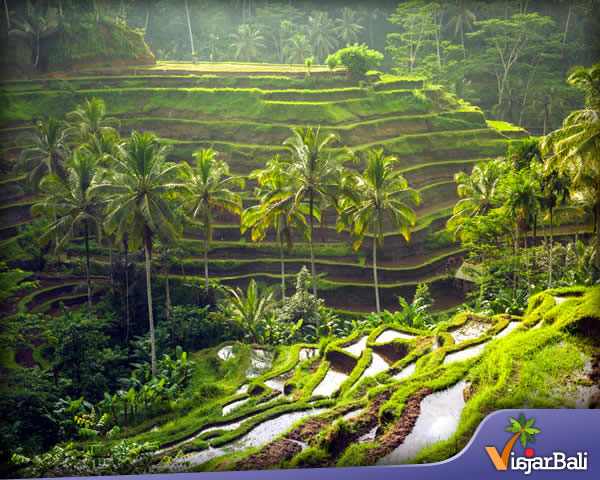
(384, 395)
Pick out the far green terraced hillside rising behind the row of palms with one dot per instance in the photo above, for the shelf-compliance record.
(244, 112)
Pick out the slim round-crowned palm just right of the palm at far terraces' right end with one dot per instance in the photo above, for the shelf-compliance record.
(519, 190)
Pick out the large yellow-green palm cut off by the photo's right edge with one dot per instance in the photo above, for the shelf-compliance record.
(576, 146)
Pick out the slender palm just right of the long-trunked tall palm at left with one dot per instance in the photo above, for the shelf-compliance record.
(209, 186)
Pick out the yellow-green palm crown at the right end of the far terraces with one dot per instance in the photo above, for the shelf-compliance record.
(477, 191)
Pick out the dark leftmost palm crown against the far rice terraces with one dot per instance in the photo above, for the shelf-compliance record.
(48, 147)
